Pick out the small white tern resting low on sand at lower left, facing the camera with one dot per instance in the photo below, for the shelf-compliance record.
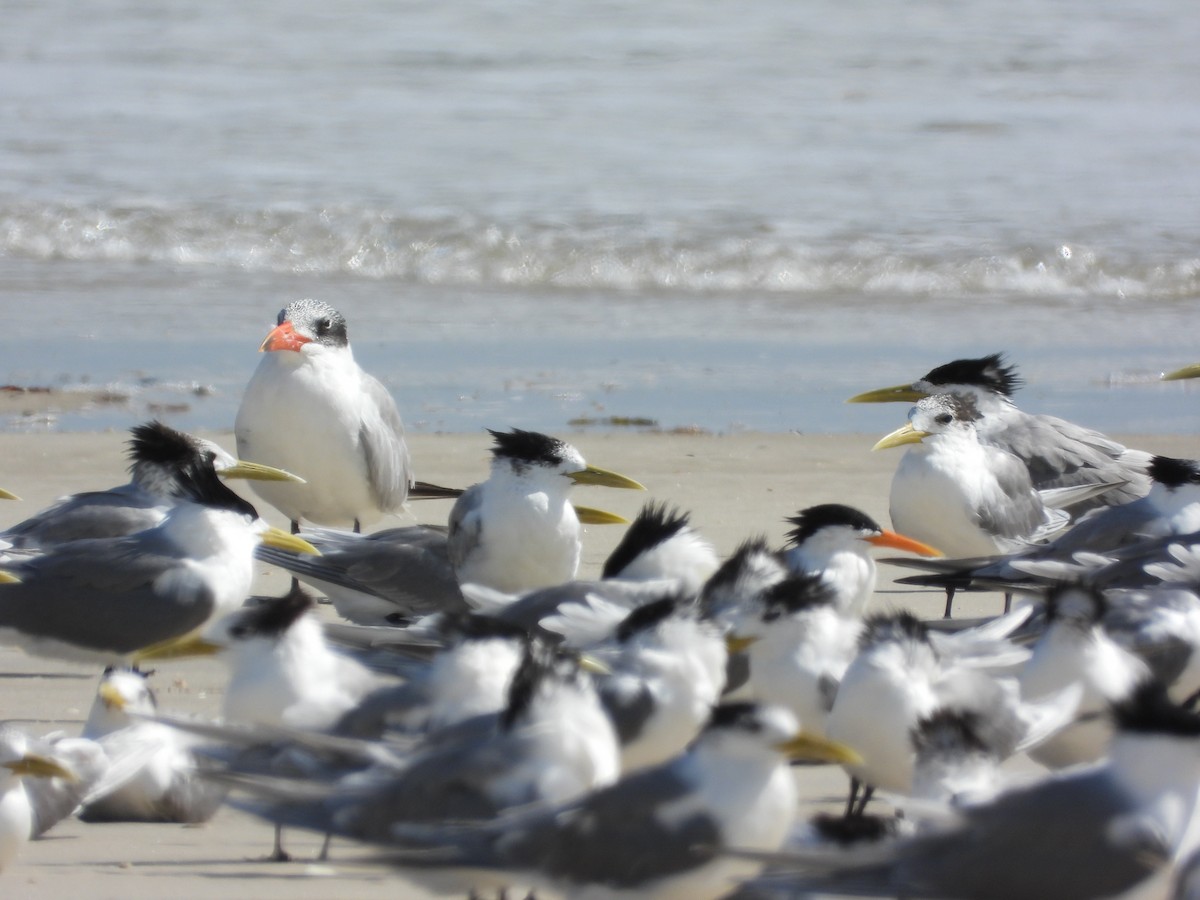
(152, 766)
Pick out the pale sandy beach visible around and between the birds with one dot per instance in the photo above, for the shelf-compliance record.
(734, 487)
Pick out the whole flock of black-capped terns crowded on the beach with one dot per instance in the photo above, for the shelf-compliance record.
(490, 724)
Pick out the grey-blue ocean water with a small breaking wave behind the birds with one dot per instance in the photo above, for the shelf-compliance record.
(562, 215)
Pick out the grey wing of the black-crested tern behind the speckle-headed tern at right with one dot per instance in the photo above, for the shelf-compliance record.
(1059, 454)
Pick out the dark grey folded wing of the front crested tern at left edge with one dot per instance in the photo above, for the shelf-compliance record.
(110, 597)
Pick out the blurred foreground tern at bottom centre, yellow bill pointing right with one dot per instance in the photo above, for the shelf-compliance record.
(659, 832)
